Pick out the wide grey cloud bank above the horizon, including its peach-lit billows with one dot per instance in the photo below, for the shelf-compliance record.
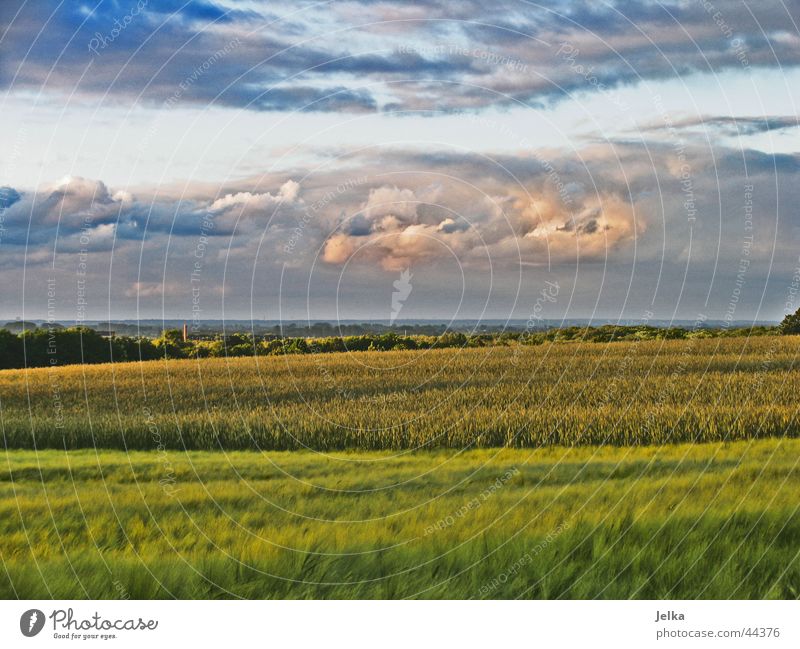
(614, 210)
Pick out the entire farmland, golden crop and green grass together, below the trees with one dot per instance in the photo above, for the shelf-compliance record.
(662, 469)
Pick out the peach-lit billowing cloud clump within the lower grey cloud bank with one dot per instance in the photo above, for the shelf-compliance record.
(393, 231)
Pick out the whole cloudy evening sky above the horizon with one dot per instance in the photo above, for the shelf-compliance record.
(506, 160)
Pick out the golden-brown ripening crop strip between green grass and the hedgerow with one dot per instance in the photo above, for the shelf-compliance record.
(651, 392)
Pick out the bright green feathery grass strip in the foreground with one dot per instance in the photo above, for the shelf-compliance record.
(679, 521)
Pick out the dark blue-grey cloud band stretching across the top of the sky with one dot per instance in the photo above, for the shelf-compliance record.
(363, 56)
